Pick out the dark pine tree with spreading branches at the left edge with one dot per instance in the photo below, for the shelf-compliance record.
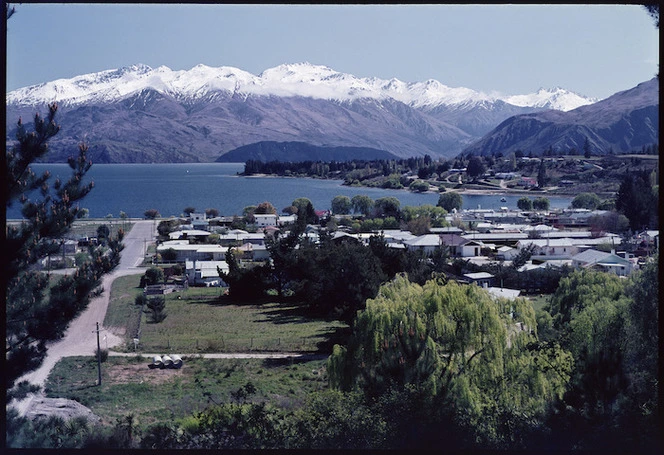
(36, 314)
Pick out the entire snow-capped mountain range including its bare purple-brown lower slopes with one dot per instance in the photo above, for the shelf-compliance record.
(138, 114)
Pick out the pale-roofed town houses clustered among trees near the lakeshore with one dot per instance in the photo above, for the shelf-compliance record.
(491, 238)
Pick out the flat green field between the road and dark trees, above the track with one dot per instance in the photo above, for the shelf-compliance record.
(199, 320)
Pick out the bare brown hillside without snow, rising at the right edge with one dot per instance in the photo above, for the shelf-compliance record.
(622, 123)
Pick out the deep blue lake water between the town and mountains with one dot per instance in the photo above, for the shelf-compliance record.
(169, 188)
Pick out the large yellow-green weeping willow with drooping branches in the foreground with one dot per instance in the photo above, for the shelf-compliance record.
(477, 360)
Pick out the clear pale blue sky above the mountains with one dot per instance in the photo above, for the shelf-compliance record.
(594, 50)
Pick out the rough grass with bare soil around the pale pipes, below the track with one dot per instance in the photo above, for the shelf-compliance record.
(153, 396)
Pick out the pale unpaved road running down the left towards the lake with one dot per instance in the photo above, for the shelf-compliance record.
(80, 338)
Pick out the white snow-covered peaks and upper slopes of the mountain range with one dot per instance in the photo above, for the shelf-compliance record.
(301, 79)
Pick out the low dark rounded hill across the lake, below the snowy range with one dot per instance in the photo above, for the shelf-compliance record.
(301, 151)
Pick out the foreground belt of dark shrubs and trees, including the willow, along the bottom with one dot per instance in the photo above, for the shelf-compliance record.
(444, 365)
